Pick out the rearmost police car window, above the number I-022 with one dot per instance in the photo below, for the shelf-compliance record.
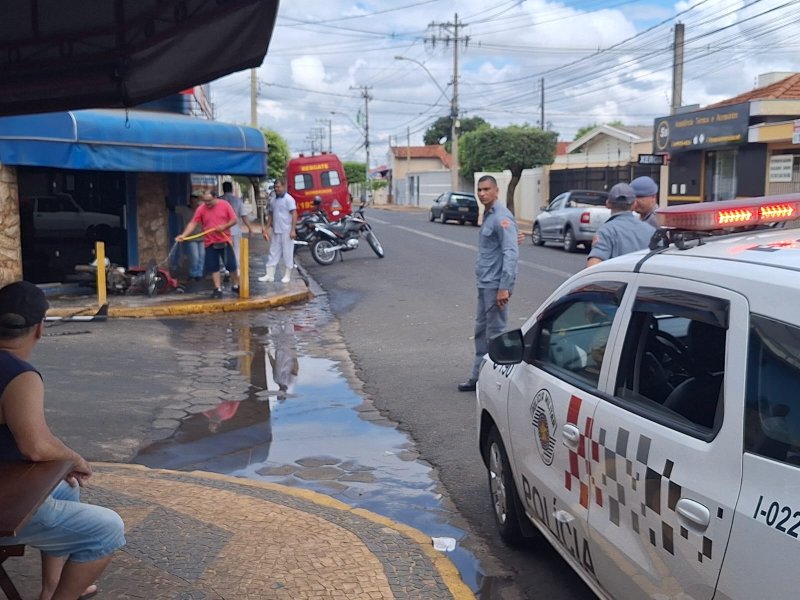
(772, 417)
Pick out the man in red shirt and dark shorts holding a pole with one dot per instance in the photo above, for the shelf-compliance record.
(216, 217)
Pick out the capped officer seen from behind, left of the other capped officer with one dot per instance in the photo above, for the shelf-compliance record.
(622, 232)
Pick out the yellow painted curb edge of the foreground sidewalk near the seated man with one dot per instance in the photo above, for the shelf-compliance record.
(441, 563)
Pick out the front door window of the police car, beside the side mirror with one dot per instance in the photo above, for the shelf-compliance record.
(570, 337)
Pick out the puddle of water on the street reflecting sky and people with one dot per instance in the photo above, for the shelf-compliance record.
(276, 406)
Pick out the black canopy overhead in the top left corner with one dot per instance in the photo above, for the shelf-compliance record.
(59, 55)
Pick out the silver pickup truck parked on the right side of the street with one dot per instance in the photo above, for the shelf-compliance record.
(571, 218)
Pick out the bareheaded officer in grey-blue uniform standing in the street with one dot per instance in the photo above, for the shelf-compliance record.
(495, 270)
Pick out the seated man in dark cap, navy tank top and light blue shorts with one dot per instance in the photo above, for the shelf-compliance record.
(76, 540)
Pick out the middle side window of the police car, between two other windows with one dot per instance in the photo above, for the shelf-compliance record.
(672, 365)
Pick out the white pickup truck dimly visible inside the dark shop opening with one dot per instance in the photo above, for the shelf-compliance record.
(59, 216)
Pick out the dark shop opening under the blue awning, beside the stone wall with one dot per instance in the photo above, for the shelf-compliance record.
(62, 214)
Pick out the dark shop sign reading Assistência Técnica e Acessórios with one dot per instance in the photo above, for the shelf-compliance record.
(703, 129)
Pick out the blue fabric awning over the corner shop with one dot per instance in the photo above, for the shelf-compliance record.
(138, 141)
